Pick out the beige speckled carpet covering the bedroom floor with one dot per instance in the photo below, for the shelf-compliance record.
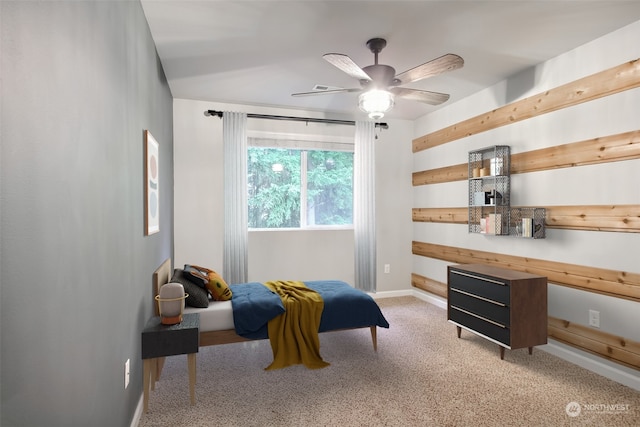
(421, 375)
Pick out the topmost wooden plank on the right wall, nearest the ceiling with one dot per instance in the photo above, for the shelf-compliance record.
(613, 80)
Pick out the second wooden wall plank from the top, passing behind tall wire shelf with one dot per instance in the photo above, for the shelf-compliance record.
(612, 148)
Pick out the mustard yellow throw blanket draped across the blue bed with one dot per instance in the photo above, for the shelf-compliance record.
(294, 334)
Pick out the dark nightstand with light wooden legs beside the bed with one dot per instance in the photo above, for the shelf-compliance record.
(159, 341)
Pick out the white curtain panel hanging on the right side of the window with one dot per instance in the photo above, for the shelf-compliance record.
(364, 203)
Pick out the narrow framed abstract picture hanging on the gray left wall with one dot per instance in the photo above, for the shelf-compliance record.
(151, 186)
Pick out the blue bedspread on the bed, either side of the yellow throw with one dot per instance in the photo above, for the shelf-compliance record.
(344, 307)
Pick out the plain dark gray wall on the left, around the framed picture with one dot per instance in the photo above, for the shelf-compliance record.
(81, 81)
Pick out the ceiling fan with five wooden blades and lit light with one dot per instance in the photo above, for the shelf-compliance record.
(379, 83)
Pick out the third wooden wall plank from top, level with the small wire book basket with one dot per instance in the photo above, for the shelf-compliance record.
(616, 218)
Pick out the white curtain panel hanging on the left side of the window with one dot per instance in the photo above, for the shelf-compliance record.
(235, 253)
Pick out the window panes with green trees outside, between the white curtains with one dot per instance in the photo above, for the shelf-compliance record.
(299, 188)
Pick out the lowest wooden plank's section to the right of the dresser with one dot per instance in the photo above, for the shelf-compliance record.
(609, 346)
